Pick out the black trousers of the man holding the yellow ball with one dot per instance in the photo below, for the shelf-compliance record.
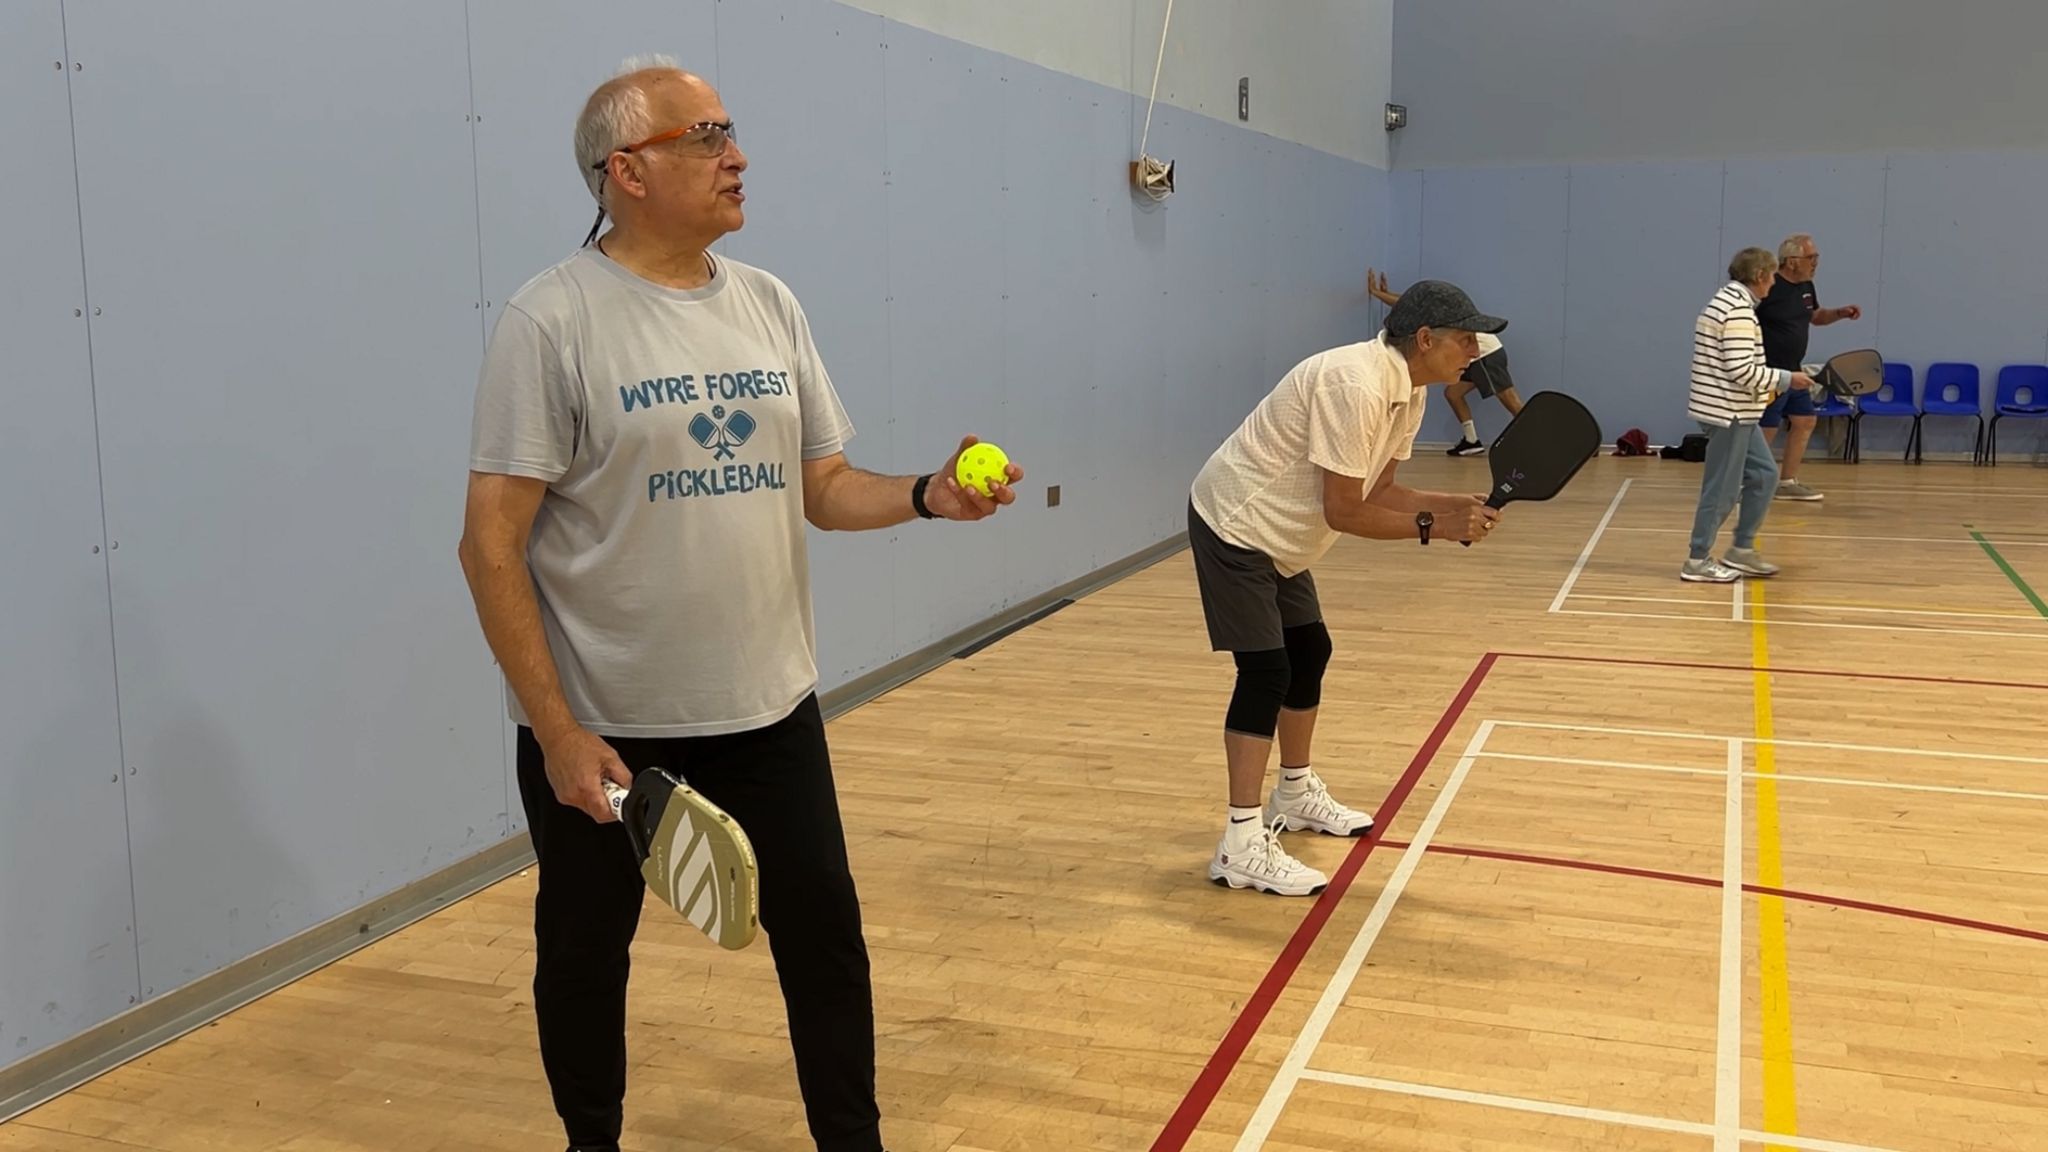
(777, 784)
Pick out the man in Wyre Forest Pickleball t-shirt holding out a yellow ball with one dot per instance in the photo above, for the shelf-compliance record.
(654, 427)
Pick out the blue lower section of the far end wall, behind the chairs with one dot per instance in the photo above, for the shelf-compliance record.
(1603, 270)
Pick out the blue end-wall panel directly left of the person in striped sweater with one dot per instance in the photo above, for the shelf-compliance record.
(1646, 255)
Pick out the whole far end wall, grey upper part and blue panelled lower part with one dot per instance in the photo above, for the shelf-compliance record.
(1611, 157)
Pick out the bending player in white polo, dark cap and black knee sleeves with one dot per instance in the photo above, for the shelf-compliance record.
(1314, 460)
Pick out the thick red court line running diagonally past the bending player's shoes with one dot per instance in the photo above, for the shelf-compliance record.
(1209, 1083)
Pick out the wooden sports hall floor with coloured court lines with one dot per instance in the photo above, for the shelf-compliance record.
(1631, 893)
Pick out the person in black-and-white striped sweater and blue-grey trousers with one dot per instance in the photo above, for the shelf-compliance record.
(1732, 386)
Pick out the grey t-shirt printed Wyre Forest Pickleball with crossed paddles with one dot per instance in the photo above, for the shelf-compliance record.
(673, 425)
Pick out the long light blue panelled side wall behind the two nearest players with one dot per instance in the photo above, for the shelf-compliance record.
(288, 239)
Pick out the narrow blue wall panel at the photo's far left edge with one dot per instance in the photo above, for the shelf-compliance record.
(67, 905)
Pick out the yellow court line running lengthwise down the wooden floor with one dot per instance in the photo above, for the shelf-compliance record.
(1781, 1112)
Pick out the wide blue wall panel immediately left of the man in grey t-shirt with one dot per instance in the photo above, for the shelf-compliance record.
(284, 374)
